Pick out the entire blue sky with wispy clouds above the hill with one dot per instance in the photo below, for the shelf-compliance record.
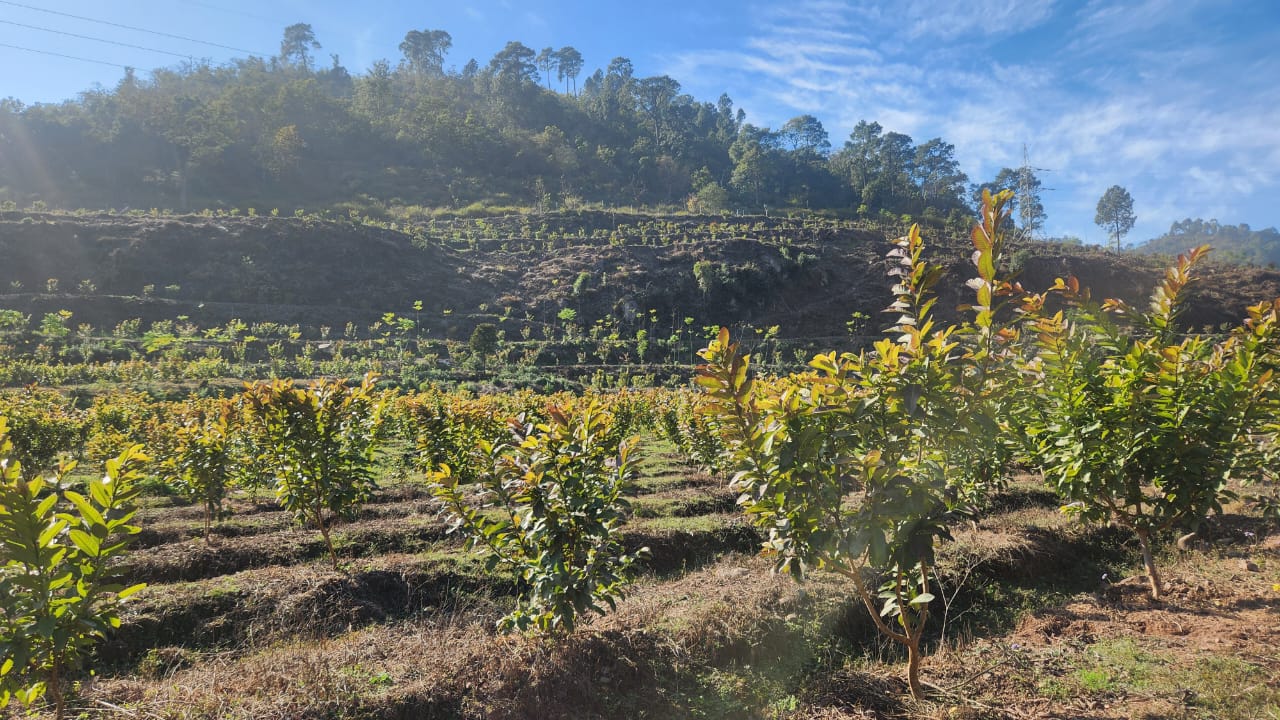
(1177, 101)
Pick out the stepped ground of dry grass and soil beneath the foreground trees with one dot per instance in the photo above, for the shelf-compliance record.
(1044, 619)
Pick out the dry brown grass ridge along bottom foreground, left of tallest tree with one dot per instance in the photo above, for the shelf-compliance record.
(730, 618)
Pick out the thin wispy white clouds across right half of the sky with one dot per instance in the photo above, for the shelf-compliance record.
(1186, 122)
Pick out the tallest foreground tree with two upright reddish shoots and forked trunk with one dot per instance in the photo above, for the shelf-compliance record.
(862, 464)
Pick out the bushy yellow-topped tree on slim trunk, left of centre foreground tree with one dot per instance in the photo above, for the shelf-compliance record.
(319, 443)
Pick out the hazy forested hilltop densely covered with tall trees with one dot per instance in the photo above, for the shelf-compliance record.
(524, 129)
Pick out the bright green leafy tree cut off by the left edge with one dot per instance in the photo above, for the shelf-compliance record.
(60, 593)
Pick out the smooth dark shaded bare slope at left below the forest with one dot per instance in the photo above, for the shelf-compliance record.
(252, 268)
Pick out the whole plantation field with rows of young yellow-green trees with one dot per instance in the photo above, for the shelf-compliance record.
(1054, 508)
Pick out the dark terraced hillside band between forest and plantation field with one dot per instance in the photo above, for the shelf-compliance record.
(808, 276)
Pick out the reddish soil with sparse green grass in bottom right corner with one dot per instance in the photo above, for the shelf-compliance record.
(1208, 651)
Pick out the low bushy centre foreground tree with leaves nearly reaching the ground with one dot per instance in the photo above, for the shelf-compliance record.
(550, 509)
